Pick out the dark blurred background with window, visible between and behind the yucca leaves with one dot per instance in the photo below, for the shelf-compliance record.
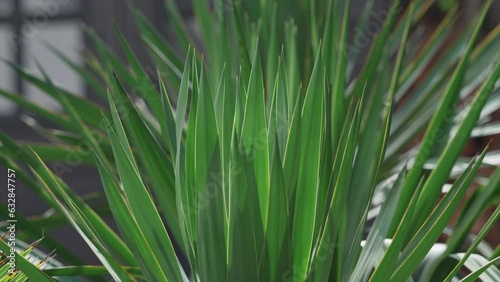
(27, 26)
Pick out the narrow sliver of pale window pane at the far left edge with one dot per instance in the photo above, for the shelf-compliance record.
(6, 75)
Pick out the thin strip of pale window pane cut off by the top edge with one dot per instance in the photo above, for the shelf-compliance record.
(49, 7)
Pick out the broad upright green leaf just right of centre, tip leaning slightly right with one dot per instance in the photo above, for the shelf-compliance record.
(304, 220)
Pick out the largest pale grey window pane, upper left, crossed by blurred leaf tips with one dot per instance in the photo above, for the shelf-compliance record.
(67, 37)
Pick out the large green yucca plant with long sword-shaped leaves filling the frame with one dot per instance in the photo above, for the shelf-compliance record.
(263, 154)
